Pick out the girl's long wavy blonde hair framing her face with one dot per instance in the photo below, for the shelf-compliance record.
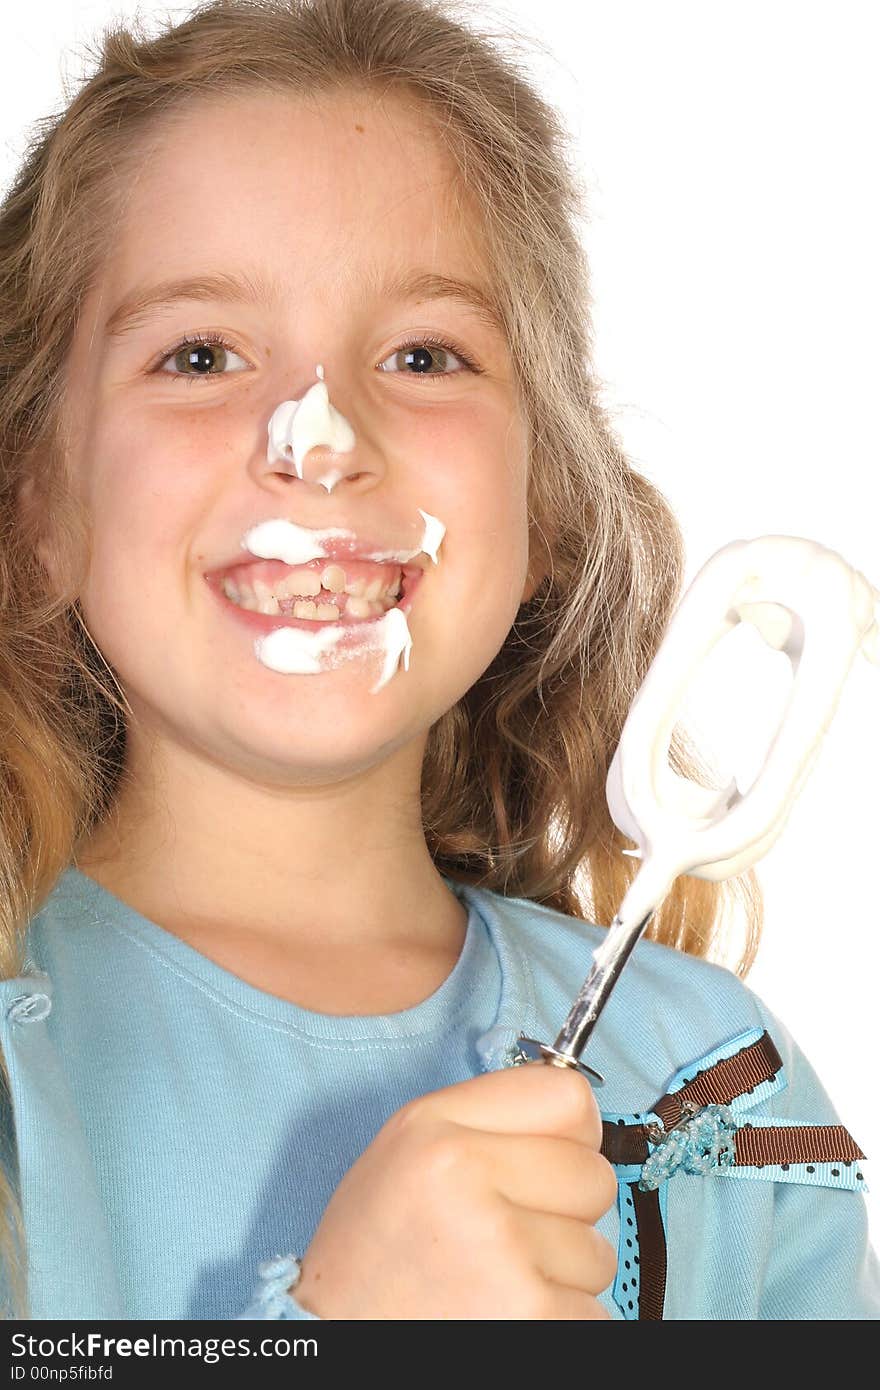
(514, 783)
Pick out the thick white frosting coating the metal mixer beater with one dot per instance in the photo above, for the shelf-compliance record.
(807, 603)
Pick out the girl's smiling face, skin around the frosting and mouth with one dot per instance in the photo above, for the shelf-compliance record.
(329, 202)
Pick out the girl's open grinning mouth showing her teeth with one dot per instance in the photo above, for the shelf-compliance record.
(354, 601)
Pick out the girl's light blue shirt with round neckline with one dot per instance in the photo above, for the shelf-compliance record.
(177, 1127)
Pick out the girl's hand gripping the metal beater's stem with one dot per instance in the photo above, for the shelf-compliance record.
(478, 1202)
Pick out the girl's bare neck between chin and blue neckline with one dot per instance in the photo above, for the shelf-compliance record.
(344, 865)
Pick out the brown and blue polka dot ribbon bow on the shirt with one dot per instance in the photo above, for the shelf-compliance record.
(781, 1152)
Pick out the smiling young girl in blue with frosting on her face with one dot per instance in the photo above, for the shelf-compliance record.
(326, 590)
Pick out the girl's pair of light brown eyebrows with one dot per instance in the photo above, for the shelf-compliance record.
(251, 288)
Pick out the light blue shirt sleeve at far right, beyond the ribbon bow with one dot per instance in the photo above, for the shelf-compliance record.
(822, 1266)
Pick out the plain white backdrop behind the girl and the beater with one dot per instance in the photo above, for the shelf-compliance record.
(731, 154)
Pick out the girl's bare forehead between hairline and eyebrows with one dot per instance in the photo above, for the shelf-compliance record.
(311, 186)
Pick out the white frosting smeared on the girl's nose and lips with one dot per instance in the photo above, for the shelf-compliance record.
(295, 429)
